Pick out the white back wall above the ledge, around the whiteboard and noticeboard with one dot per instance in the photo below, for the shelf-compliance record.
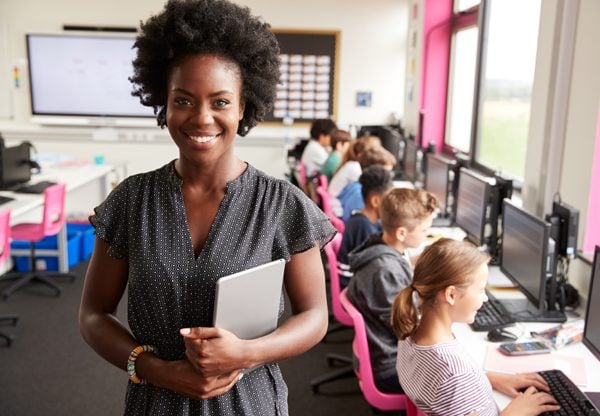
(373, 42)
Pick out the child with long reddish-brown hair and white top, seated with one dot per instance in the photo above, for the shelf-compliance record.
(349, 170)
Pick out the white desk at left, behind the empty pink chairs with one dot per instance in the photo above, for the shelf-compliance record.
(87, 185)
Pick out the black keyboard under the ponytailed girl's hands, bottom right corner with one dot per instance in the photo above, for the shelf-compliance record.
(572, 401)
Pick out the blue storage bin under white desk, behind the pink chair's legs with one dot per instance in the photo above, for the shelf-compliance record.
(51, 262)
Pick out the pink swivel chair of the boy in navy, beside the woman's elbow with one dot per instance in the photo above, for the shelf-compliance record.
(344, 321)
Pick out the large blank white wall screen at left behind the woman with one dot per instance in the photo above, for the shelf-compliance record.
(83, 75)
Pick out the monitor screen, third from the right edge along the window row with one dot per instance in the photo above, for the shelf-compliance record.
(471, 204)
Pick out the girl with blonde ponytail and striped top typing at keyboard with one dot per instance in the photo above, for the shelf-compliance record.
(435, 371)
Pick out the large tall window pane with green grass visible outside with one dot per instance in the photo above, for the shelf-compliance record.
(506, 85)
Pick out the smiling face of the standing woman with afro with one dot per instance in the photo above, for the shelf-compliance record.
(204, 107)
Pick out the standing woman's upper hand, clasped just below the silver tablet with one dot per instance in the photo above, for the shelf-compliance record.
(214, 352)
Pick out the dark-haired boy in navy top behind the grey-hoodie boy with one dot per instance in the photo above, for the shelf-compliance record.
(374, 181)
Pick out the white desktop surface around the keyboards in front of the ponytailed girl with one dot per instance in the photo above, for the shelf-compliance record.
(476, 344)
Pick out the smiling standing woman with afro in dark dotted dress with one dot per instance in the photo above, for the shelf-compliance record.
(209, 68)
